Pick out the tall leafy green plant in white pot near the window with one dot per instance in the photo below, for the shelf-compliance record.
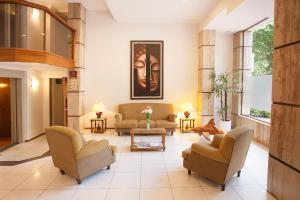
(222, 85)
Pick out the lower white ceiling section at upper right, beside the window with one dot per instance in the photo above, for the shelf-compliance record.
(246, 14)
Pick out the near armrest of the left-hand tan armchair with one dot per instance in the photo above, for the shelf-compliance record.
(93, 147)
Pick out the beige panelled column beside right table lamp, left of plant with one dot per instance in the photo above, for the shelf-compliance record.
(206, 66)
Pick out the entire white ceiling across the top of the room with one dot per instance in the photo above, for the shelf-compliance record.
(221, 15)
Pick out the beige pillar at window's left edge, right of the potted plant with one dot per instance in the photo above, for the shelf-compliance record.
(242, 63)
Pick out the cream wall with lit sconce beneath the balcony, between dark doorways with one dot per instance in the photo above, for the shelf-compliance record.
(35, 100)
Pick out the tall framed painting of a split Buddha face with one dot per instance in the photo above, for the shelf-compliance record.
(146, 70)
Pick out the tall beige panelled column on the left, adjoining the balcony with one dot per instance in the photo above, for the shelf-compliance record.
(76, 18)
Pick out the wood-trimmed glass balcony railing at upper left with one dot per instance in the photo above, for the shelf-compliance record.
(34, 27)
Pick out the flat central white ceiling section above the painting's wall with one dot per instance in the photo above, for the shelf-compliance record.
(160, 11)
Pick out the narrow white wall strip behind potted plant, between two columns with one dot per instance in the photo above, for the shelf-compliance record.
(224, 61)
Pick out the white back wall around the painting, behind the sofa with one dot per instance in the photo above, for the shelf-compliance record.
(107, 61)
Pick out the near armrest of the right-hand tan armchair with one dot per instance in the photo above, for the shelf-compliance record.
(208, 152)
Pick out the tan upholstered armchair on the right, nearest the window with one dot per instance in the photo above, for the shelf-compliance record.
(222, 158)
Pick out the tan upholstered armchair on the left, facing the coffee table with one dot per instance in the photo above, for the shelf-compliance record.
(76, 157)
